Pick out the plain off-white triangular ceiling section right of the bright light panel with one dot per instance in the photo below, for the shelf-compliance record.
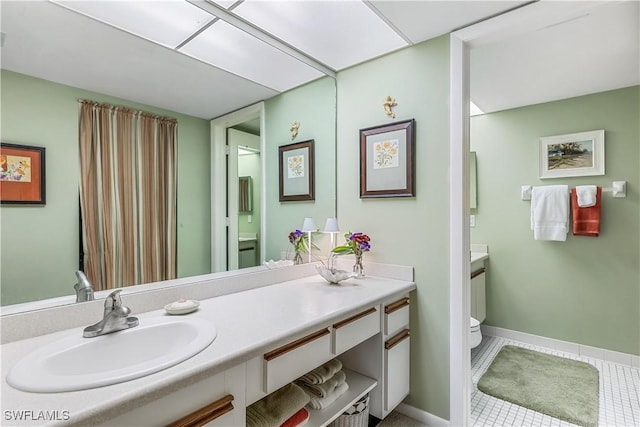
(423, 20)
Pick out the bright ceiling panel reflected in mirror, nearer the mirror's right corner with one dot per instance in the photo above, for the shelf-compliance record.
(233, 50)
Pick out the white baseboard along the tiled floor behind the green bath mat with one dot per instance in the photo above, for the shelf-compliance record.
(566, 346)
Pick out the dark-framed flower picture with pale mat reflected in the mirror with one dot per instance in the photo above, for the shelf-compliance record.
(296, 171)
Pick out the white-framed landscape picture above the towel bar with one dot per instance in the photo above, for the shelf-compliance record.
(575, 154)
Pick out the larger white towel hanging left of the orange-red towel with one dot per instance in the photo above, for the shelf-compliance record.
(550, 212)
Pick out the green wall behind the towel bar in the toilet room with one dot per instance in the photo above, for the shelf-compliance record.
(585, 290)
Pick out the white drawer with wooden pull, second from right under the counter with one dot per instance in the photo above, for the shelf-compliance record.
(355, 329)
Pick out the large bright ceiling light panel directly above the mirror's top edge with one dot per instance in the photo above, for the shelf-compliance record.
(337, 33)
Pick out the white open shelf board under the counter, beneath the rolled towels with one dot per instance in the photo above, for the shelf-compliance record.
(359, 385)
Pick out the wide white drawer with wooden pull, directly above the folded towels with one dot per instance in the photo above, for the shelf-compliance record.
(290, 361)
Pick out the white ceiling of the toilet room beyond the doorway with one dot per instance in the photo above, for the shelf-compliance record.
(579, 53)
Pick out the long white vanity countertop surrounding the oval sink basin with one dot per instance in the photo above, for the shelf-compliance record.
(248, 324)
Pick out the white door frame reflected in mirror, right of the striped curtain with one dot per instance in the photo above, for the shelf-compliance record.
(219, 219)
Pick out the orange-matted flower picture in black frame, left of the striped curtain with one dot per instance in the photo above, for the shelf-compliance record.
(22, 174)
